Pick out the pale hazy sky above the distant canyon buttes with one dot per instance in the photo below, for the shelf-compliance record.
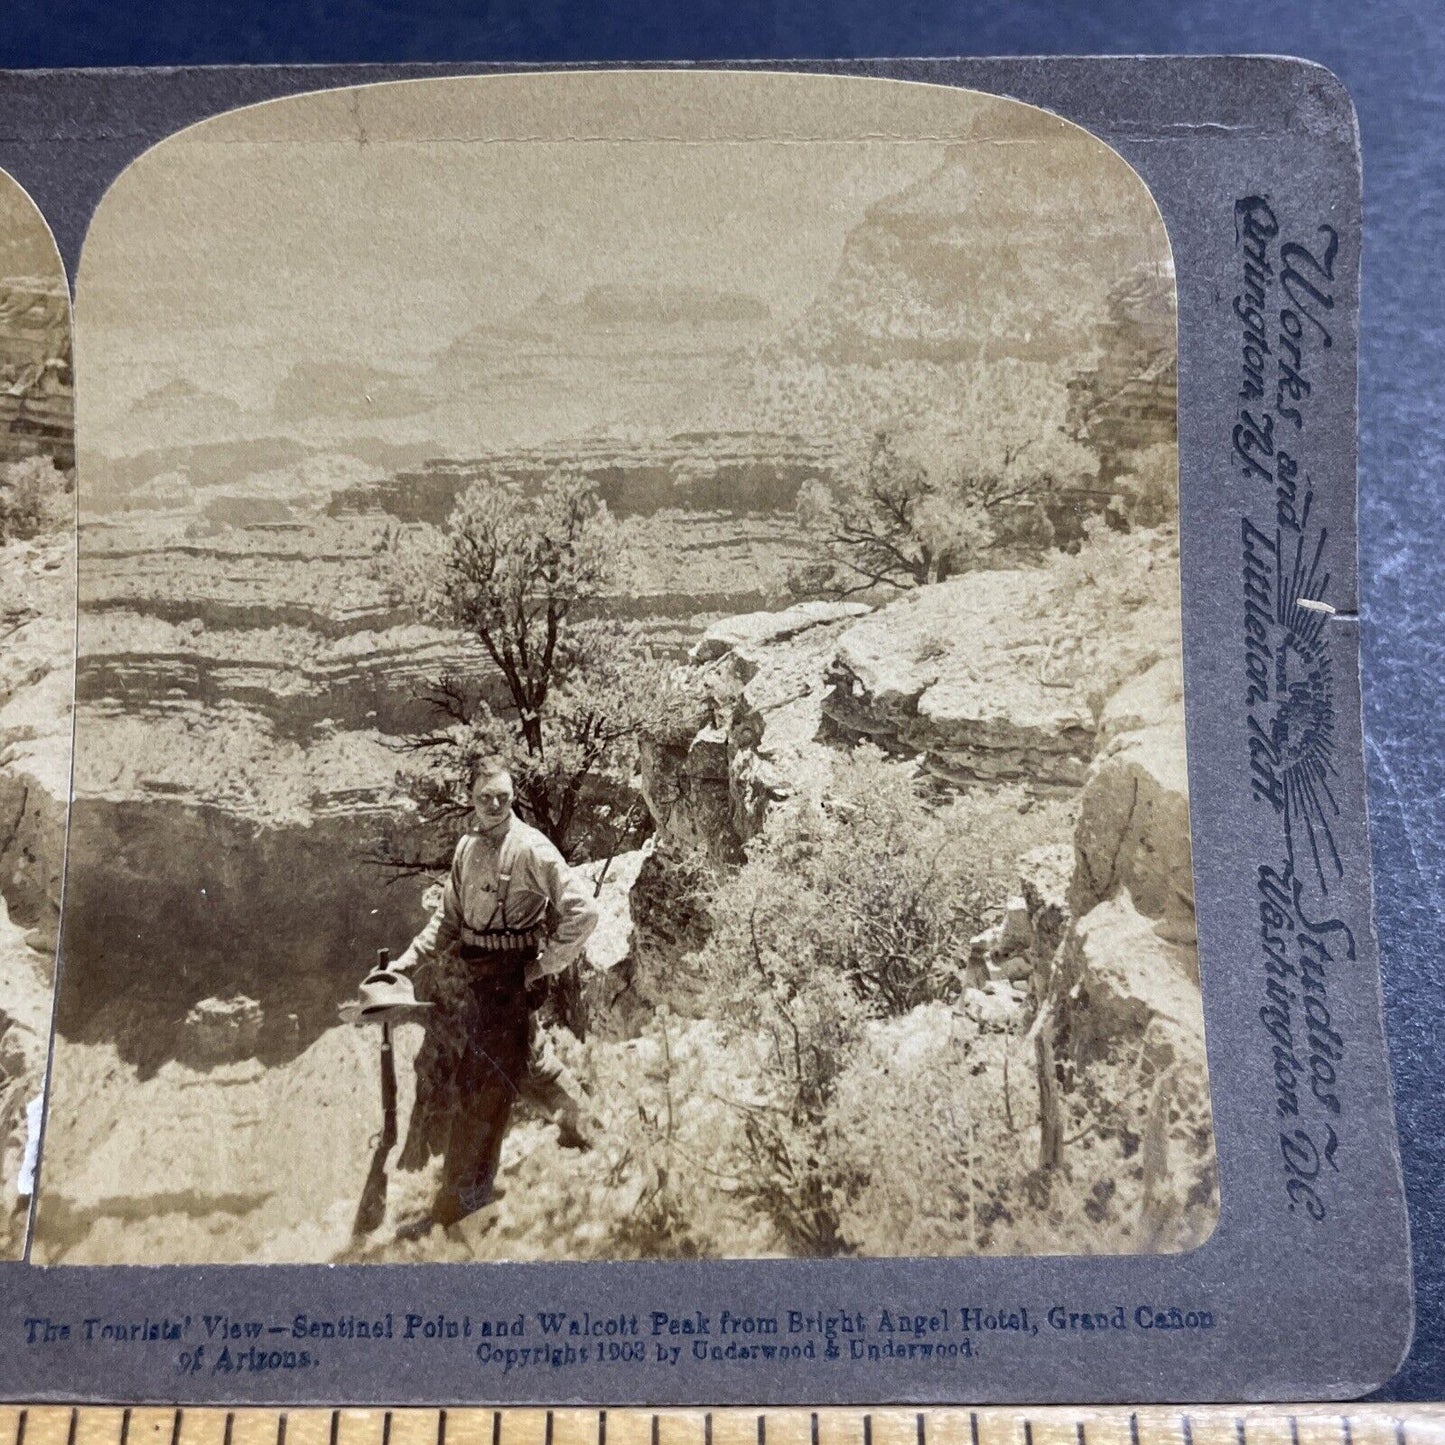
(379, 223)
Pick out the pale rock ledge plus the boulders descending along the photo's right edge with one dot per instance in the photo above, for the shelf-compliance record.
(1064, 680)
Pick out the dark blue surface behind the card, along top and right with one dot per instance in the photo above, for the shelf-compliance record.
(1391, 56)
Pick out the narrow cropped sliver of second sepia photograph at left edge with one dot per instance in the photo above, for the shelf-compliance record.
(37, 652)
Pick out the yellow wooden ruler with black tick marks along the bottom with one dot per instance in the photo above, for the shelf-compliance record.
(999, 1425)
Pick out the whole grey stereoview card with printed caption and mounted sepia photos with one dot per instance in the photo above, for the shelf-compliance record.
(790, 634)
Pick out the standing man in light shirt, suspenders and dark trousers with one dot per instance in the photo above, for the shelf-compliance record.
(512, 913)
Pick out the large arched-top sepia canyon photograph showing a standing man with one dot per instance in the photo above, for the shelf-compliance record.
(628, 687)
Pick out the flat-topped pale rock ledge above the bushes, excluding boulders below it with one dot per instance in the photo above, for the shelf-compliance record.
(1025, 677)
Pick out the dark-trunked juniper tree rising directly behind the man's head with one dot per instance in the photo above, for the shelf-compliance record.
(561, 694)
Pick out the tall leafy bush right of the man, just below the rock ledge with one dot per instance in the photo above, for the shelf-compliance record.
(847, 911)
